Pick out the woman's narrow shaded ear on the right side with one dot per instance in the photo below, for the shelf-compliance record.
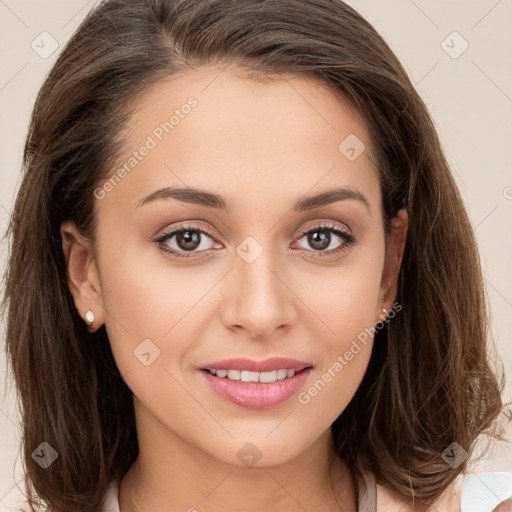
(393, 260)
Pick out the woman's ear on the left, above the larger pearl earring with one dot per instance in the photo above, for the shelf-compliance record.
(82, 274)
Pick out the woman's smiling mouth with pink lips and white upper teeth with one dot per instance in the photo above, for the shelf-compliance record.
(239, 381)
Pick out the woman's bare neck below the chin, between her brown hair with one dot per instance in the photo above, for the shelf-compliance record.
(170, 471)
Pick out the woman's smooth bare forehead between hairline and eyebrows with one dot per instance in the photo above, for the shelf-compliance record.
(216, 128)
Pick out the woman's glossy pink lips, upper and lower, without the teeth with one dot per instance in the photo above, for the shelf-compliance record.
(257, 395)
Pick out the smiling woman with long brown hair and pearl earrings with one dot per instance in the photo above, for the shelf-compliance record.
(242, 275)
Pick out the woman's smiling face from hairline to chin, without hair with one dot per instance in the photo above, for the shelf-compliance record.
(263, 270)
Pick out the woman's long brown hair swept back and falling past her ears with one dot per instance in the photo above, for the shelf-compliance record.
(429, 382)
